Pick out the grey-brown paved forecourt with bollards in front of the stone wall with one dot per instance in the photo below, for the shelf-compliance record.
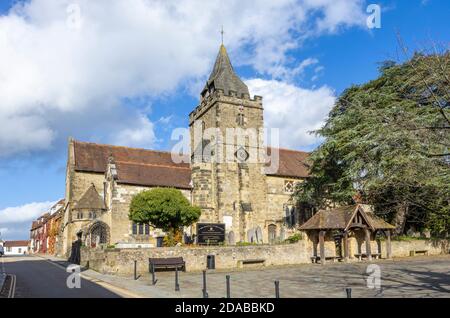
(417, 277)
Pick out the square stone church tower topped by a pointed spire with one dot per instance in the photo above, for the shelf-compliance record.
(227, 148)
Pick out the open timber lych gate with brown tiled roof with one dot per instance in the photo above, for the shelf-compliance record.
(343, 223)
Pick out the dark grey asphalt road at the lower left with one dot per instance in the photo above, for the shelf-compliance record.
(39, 278)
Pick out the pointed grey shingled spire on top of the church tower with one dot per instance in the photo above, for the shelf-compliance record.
(223, 77)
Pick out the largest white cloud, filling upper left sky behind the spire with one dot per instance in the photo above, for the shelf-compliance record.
(57, 79)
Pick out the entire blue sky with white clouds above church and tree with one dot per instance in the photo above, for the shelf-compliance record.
(129, 72)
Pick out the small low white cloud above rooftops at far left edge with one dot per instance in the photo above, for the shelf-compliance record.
(24, 213)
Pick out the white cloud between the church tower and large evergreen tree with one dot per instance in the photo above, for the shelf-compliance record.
(294, 110)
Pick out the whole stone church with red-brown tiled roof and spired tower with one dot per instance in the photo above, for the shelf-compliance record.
(249, 196)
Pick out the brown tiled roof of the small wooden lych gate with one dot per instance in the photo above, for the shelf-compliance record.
(341, 218)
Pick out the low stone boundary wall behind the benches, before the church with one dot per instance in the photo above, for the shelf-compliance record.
(121, 261)
